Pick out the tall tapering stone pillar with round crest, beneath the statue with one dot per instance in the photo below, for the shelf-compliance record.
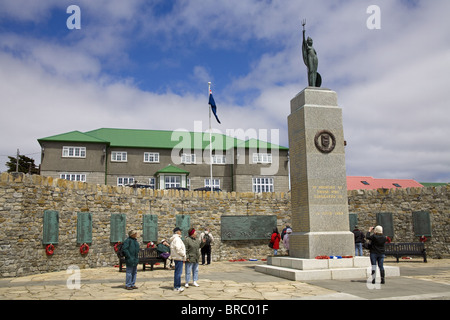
(320, 220)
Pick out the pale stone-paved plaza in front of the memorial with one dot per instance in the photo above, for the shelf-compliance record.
(231, 281)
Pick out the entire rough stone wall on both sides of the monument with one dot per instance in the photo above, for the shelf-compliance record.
(24, 198)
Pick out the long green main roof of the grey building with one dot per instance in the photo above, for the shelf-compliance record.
(160, 139)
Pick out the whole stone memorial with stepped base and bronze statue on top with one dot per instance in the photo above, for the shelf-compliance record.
(319, 205)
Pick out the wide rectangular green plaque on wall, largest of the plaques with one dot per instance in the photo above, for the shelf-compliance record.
(247, 227)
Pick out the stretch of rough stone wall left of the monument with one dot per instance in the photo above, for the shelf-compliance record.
(24, 198)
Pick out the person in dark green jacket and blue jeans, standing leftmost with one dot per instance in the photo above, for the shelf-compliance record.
(130, 249)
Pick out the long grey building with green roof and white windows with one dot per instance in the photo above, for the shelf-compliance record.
(166, 159)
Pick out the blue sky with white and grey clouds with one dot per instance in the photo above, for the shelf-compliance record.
(146, 64)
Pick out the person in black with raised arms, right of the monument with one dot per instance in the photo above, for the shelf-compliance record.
(378, 241)
